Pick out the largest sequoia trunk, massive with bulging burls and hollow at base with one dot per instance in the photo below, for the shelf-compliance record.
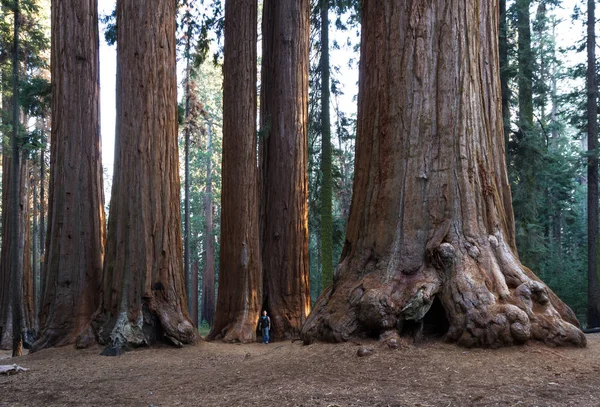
(431, 232)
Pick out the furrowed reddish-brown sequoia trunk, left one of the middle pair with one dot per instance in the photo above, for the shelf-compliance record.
(240, 276)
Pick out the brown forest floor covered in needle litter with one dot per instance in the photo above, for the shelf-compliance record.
(290, 374)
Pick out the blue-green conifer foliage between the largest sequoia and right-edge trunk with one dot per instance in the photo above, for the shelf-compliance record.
(545, 164)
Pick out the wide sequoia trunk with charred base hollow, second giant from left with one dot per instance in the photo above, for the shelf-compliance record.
(143, 294)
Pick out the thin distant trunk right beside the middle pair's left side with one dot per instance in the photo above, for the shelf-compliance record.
(208, 280)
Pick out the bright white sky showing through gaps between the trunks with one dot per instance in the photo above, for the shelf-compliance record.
(569, 33)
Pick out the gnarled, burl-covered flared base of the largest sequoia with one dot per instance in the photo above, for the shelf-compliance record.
(489, 299)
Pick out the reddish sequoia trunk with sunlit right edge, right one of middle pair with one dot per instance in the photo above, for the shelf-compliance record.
(284, 160)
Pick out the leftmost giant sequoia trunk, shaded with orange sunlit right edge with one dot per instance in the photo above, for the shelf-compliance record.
(76, 223)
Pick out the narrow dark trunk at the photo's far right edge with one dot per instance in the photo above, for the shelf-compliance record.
(593, 314)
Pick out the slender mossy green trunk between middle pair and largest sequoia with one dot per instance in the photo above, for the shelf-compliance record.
(326, 170)
